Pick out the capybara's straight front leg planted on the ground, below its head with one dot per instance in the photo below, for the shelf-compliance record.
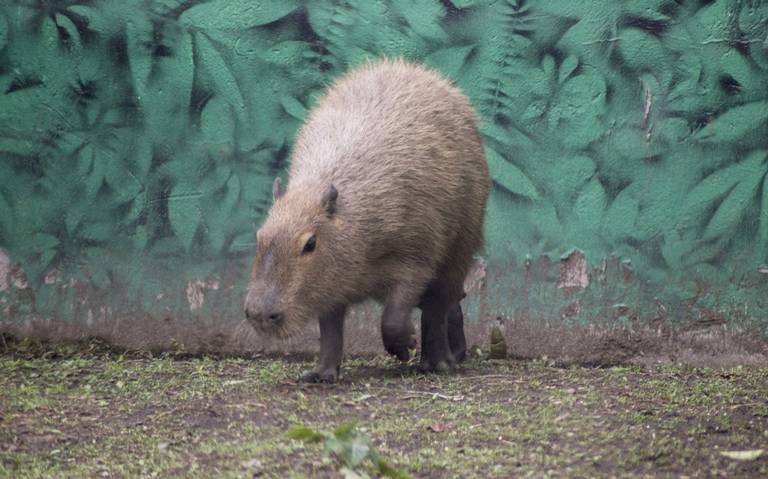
(331, 347)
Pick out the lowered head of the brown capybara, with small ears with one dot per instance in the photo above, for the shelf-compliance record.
(294, 258)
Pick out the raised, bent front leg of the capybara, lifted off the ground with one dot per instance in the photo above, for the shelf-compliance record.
(397, 331)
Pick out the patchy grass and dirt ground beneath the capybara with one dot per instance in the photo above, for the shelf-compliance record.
(85, 412)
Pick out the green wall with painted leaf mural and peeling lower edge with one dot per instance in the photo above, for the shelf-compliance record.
(138, 140)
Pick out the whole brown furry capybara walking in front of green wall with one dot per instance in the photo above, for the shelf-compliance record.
(385, 199)
